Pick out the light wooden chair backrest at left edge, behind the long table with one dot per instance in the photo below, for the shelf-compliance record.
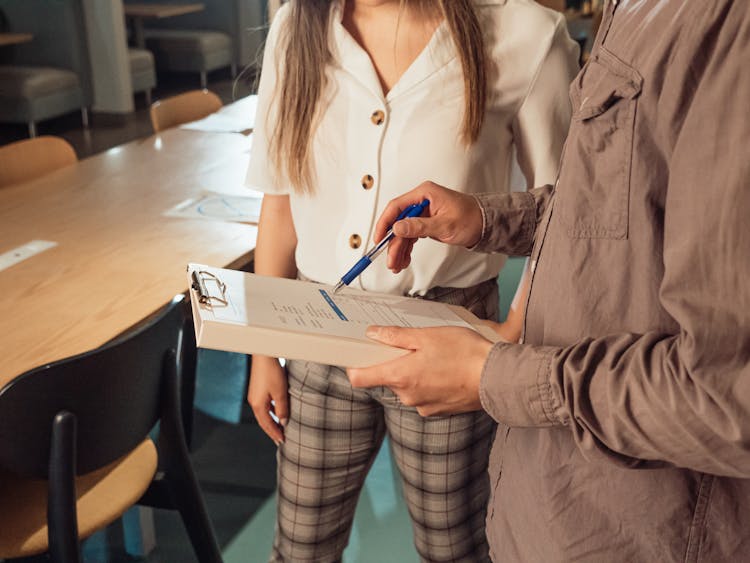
(30, 158)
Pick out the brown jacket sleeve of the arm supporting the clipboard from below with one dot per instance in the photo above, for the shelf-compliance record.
(681, 399)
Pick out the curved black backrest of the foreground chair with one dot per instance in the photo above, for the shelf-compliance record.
(114, 391)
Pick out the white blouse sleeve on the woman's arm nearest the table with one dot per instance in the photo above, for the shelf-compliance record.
(261, 174)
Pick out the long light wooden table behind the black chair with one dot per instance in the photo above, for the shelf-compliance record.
(118, 259)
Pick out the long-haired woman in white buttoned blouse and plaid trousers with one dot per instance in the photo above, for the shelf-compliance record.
(359, 101)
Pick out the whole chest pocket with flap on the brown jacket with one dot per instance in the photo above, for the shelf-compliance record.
(595, 173)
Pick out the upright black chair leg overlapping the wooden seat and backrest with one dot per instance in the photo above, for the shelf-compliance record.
(62, 521)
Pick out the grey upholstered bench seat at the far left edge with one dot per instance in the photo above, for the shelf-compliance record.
(33, 93)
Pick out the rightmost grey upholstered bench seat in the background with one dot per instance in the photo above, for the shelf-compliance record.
(187, 50)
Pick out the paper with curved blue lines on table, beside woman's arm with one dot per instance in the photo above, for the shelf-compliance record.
(220, 207)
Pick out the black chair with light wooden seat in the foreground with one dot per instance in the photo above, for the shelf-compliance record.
(75, 451)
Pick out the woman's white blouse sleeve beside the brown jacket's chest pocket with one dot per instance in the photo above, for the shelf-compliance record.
(542, 121)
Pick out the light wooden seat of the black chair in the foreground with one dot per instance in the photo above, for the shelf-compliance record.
(102, 496)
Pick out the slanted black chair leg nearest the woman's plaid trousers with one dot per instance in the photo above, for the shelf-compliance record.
(181, 478)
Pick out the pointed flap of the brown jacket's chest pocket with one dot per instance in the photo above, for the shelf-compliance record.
(606, 80)
